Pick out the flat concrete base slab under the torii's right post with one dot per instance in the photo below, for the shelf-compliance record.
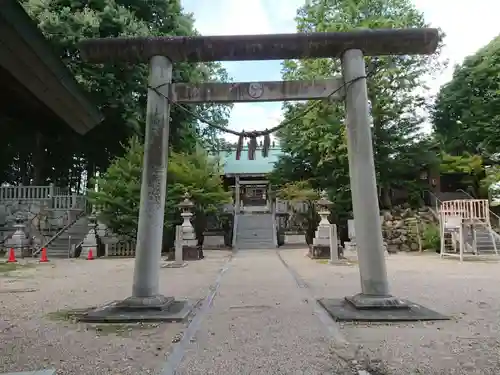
(342, 310)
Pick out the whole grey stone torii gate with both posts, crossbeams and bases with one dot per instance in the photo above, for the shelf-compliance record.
(375, 301)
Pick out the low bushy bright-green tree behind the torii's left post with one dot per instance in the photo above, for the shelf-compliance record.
(118, 195)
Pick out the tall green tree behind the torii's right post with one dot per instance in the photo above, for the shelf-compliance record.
(399, 145)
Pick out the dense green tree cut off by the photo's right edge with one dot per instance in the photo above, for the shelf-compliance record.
(466, 115)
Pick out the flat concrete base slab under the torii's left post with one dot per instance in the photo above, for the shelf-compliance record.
(113, 312)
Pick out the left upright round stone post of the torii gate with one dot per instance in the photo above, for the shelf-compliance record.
(145, 289)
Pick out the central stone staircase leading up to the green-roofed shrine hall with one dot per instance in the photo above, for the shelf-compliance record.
(255, 231)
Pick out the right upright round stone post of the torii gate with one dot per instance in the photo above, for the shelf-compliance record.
(368, 230)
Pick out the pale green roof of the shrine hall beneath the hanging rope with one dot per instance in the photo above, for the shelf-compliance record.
(260, 165)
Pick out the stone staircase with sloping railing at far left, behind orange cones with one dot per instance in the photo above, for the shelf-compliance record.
(61, 247)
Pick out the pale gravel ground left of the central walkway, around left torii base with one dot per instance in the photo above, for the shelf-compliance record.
(34, 336)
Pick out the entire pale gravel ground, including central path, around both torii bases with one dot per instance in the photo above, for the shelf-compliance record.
(261, 321)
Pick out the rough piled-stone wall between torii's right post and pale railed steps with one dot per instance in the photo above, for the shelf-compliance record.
(402, 228)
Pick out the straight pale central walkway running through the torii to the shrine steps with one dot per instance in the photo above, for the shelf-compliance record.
(262, 321)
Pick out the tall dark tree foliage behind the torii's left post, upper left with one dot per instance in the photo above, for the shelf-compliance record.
(49, 153)
